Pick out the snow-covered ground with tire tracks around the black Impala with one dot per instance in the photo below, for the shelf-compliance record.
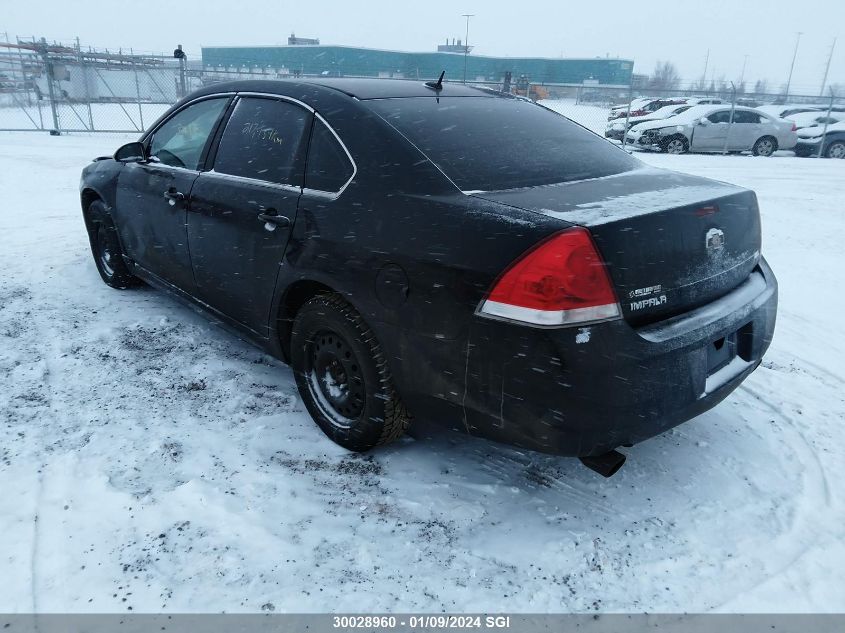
(151, 461)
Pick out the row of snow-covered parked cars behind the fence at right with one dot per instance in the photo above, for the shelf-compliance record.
(705, 124)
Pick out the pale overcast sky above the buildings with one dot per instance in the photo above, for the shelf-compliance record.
(645, 30)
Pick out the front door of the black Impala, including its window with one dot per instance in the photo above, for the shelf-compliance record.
(150, 202)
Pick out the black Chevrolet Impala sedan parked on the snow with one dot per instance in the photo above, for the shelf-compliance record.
(443, 252)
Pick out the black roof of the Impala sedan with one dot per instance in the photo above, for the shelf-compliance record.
(362, 89)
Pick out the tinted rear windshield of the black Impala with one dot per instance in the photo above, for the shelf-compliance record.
(490, 143)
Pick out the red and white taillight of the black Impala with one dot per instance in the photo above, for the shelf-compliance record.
(562, 281)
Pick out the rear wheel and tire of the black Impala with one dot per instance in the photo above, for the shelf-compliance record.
(343, 377)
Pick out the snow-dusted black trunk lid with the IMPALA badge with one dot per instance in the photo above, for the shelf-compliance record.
(672, 242)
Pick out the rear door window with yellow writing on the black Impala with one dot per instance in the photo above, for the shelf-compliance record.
(264, 140)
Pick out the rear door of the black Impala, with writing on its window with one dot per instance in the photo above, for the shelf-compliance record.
(242, 209)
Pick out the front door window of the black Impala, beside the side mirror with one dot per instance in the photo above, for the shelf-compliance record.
(179, 142)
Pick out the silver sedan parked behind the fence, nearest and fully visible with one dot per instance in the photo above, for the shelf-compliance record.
(710, 128)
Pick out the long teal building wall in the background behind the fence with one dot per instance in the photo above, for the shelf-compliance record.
(350, 61)
